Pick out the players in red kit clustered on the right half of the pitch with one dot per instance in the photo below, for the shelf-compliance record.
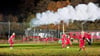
(66, 40)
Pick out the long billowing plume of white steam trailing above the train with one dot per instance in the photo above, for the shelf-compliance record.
(86, 12)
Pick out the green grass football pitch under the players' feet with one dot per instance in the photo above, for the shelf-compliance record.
(53, 49)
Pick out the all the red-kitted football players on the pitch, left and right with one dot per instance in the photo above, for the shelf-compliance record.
(66, 40)
